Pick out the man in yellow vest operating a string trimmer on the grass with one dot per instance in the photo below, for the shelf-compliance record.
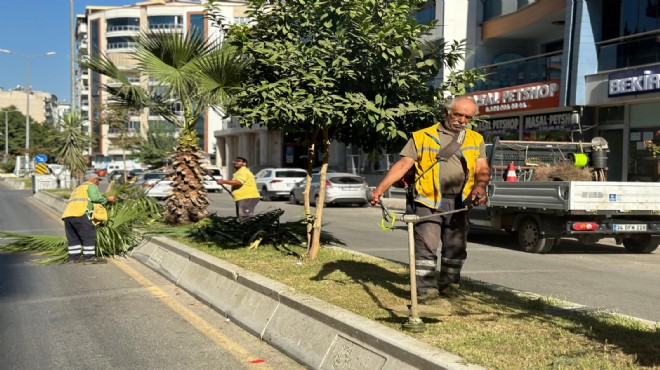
(450, 171)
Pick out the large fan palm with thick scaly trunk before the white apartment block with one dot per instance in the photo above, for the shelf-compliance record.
(190, 71)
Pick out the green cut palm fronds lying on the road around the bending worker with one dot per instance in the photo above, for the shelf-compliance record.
(114, 237)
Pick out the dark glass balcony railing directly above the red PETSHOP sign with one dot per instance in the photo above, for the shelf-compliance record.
(539, 68)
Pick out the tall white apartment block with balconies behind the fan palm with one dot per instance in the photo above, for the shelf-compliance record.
(110, 30)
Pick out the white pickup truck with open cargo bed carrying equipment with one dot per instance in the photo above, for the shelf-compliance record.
(541, 213)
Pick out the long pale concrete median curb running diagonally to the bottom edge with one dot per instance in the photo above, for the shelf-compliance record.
(313, 332)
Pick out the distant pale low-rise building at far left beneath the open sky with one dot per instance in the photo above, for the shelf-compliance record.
(43, 105)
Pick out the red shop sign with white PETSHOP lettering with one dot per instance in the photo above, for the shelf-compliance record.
(518, 98)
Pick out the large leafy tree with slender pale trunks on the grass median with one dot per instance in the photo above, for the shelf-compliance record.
(349, 70)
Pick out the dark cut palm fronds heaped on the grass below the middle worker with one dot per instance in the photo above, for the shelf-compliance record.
(263, 228)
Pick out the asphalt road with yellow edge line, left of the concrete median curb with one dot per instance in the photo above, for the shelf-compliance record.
(120, 315)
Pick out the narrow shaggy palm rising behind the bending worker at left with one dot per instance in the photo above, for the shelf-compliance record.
(72, 143)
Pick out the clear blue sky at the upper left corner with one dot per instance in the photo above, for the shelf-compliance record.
(36, 27)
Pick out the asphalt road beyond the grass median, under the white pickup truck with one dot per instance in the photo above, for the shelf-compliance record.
(601, 276)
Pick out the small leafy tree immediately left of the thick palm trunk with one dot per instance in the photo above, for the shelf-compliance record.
(160, 144)
